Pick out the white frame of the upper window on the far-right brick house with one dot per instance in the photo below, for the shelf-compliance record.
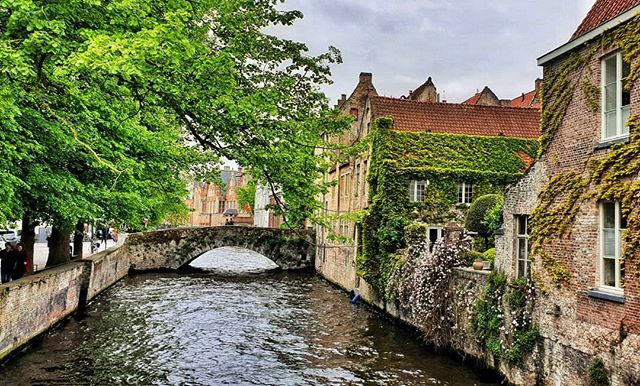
(622, 131)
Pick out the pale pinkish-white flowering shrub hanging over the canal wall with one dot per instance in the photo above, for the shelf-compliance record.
(421, 287)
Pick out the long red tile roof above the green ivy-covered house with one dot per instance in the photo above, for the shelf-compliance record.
(458, 118)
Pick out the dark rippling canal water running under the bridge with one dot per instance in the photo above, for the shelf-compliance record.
(234, 325)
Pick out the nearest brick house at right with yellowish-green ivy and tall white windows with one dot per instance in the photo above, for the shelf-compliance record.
(579, 195)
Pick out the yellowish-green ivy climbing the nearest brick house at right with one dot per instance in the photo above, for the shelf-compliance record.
(607, 177)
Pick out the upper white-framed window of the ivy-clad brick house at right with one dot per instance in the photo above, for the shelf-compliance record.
(616, 100)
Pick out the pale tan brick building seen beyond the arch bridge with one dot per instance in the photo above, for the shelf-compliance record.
(212, 204)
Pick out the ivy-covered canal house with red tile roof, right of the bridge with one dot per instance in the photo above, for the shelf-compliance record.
(422, 160)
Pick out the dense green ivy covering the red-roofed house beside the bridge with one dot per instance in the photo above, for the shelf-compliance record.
(397, 158)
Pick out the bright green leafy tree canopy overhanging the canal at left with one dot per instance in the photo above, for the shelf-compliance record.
(104, 96)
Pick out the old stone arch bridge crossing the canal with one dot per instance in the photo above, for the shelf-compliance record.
(173, 249)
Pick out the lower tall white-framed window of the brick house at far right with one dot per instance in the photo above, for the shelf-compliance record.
(612, 225)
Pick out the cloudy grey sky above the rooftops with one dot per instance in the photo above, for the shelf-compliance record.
(463, 44)
